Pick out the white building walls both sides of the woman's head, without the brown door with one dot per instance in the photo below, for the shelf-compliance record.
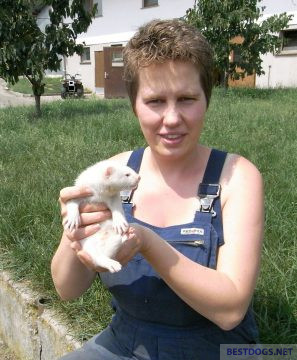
(121, 19)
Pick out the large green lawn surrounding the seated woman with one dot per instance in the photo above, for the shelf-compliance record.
(40, 156)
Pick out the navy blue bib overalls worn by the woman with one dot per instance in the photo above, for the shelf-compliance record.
(151, 322)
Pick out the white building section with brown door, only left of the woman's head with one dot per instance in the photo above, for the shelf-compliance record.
(115, 23)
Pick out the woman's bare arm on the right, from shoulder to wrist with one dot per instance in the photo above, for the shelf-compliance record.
(221, 295)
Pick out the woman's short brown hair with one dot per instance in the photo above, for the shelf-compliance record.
(162, 40)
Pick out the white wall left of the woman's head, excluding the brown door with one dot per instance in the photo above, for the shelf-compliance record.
(119, 22)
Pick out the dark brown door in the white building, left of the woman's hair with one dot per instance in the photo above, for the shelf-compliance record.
(114, 85)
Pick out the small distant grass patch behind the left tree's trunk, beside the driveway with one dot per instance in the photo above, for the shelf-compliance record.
(52, 86)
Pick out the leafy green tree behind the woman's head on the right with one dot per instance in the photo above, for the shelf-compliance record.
(220, 21)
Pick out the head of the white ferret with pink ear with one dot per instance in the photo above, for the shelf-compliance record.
(120, 177)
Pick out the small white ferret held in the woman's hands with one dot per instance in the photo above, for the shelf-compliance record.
(106, 179)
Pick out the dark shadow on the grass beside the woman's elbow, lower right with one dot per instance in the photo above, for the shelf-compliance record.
(275, 318)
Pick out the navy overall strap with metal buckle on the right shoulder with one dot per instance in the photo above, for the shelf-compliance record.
(209, 190)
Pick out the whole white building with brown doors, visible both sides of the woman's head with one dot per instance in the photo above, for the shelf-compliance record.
(116, 21)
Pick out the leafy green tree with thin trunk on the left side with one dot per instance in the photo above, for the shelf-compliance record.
(25, 50)
